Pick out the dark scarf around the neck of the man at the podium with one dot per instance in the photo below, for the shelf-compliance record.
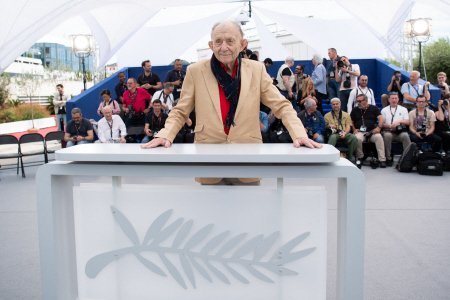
(229, 85)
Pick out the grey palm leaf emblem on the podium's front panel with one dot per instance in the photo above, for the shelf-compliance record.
(189, 259)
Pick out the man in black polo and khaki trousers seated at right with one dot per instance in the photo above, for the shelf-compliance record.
(364, 119)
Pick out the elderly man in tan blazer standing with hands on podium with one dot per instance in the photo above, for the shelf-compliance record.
(226, 92)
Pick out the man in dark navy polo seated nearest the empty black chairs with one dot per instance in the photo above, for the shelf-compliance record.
(79, 130)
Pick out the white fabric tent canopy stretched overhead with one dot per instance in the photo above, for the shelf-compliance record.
(371, 25)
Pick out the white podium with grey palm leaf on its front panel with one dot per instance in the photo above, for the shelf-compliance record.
(70, 265)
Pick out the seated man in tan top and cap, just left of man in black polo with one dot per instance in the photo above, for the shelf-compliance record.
(338, 124)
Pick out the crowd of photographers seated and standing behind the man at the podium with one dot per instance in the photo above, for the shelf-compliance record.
(354, 119)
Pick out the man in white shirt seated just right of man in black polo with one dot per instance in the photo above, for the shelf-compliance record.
(395, 127)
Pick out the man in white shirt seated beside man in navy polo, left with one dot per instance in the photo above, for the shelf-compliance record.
(111, 127)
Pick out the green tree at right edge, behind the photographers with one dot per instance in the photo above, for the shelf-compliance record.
(436, 58)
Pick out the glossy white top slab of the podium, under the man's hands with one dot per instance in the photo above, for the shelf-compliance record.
(199, 153)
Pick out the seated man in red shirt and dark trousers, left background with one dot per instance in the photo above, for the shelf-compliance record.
(134, 104)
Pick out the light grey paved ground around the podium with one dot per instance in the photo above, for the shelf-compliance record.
(407, 234)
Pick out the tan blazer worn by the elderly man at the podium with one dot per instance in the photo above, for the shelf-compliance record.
(200, 89)
